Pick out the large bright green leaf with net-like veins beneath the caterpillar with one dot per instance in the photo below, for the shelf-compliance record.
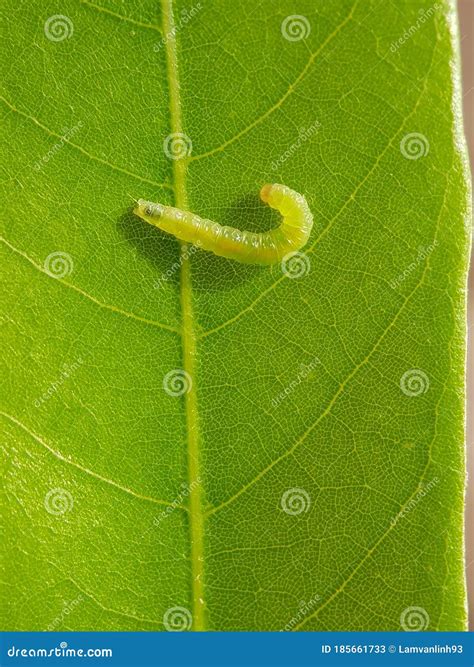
(194, 443)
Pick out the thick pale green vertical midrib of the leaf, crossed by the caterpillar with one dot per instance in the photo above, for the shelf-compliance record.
(196, 518)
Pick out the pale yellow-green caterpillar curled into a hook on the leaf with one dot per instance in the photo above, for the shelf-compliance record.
(247, 247)
